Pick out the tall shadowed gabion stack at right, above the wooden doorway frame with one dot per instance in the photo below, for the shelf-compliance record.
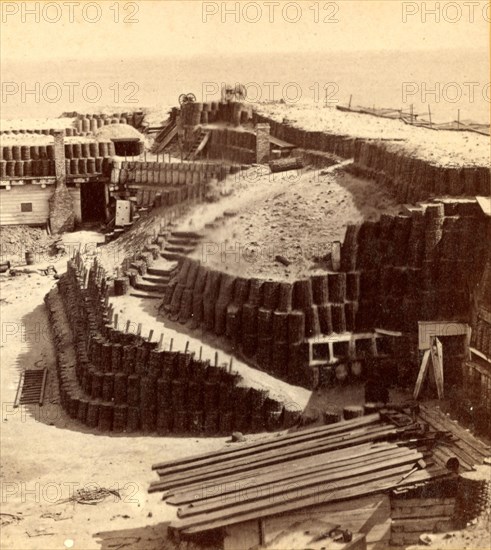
(416, 267)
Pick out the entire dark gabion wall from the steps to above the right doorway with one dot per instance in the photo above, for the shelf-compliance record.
(422, 265)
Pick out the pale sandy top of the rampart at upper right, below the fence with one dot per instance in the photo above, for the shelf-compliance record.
(439, 147)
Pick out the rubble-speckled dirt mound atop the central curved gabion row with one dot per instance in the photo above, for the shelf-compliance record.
(298, 215)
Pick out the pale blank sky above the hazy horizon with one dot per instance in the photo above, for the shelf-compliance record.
(108, 29)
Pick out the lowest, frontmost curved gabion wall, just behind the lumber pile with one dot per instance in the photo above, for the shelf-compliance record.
(126, 384)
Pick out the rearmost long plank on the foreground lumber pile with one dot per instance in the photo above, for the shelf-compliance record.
(345, 425)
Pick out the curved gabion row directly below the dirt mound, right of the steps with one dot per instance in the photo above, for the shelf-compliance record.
(268, 321)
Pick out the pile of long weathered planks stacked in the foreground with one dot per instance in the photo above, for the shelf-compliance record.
(350, 459)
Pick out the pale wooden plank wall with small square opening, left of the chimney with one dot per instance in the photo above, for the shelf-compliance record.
(10, 201)
